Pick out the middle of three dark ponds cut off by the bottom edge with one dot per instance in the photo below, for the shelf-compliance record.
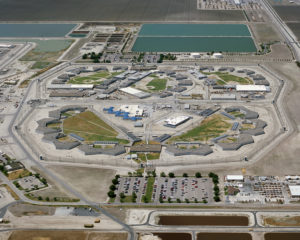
(224, 236)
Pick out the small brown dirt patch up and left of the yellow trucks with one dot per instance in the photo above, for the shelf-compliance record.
(21, 209)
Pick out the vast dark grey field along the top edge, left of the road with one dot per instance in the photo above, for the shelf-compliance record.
(113, 10)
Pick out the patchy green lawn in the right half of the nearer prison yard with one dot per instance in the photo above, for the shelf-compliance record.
(209, 128)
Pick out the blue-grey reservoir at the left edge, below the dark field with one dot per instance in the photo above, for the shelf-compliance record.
(35, 30)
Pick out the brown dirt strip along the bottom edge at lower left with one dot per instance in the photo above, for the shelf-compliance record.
(65, 235)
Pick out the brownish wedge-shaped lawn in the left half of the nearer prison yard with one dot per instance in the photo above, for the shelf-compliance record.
(91, 128)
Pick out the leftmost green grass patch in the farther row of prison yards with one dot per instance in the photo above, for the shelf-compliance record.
(95, 78)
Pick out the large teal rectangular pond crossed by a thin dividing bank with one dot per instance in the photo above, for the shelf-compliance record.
(194, 38)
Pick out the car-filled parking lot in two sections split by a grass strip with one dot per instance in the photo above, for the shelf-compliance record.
(166, 189)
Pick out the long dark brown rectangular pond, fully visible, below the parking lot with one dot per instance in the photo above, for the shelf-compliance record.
(203, 220)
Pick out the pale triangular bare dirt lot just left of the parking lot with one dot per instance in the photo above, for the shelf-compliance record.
(92, 182)
